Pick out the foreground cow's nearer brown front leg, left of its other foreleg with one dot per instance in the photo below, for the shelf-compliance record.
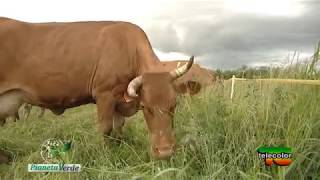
(106, 111)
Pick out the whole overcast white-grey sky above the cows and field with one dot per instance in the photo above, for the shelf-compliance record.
(220, 33)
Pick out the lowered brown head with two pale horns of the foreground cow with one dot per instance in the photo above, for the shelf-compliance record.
(158, 98)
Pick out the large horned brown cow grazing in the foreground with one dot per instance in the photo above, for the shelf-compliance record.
(64, 65)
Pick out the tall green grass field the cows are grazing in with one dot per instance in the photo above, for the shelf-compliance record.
(218, 138)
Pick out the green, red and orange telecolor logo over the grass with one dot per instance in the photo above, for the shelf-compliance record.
(280, 156)
